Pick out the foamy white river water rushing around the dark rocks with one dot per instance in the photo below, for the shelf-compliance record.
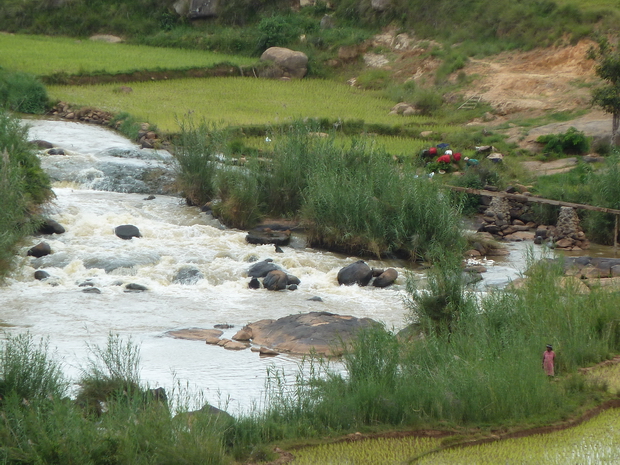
(175, 235)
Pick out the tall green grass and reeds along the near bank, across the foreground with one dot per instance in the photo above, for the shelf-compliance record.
(477, 372)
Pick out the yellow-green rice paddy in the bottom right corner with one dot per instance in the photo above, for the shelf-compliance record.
(593, 442)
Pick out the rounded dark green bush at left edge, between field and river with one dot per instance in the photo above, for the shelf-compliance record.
(22, 92)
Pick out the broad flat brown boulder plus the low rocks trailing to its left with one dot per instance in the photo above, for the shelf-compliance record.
(315, 332)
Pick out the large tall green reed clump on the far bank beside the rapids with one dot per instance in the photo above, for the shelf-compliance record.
(352, 198)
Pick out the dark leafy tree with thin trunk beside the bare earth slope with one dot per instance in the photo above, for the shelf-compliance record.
(608, 69)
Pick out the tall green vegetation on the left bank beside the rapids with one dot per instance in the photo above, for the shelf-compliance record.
(23, 186)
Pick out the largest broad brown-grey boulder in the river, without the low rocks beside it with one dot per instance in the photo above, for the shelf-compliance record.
(322, 332)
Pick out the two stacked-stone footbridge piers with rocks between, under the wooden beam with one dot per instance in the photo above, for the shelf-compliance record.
(510, 219)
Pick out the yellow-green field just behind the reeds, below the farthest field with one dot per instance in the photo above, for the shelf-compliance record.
(235, 101)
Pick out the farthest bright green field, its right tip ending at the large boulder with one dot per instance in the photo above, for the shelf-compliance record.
(44, 56)
